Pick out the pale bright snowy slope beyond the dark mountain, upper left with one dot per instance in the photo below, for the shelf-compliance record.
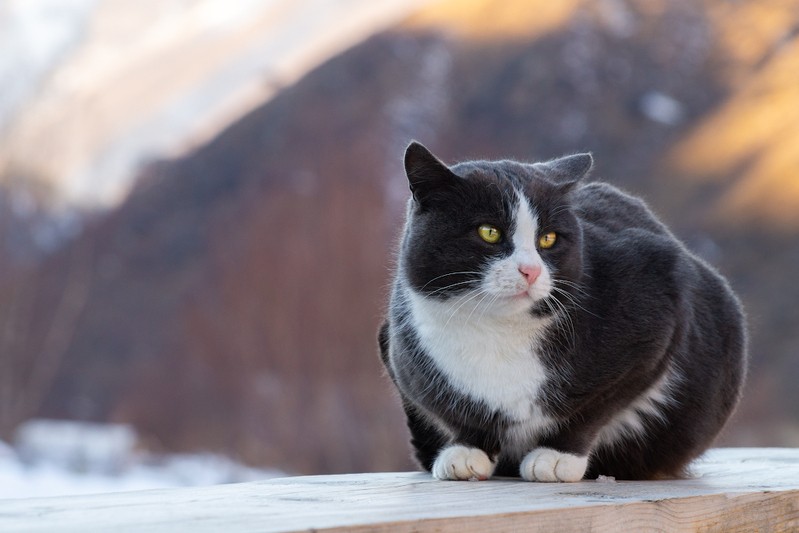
(94, 89)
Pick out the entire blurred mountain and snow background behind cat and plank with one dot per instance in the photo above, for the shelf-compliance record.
(200, 199)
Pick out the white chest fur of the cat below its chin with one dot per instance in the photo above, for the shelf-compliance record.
(490, 359)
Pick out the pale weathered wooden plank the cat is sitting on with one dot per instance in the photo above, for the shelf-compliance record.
(733, 489)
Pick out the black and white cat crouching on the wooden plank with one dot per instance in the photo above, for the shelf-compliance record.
(546, 326)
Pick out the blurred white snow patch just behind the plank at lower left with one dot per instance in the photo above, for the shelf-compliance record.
(59, 458)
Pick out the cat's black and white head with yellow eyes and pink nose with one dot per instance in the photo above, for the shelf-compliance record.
(501, 235)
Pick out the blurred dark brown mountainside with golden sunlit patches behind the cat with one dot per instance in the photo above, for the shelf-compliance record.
(231, 302)
